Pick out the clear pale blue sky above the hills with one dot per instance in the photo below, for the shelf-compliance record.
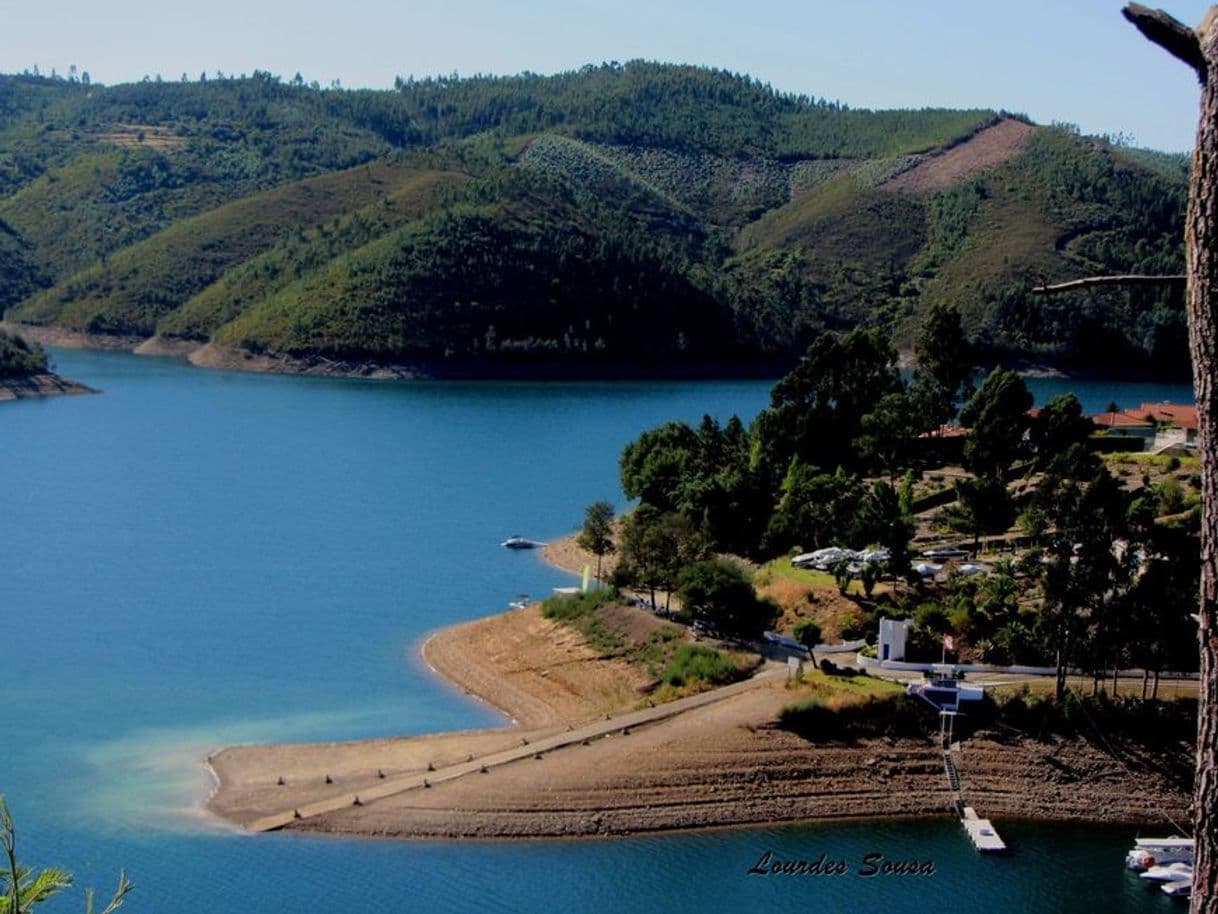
(1054, 60)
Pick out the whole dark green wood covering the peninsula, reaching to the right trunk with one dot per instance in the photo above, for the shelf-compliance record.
(834, 461)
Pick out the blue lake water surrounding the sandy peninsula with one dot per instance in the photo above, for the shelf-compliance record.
(199, 559)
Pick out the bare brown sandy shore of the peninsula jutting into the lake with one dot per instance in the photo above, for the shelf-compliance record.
(722, 763)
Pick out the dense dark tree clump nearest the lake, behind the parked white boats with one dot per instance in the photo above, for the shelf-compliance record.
(796, 478)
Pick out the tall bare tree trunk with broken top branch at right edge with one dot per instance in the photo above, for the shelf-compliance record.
(1199, 49)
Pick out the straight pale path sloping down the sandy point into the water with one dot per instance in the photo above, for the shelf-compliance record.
(594, 731)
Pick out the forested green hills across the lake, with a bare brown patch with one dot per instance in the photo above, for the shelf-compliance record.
(638, 218)
